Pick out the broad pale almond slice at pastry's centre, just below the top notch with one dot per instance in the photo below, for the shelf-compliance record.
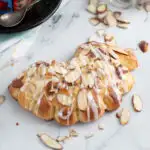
(72, 76)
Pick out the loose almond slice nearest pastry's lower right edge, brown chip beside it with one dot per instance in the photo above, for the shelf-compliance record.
(125, 116)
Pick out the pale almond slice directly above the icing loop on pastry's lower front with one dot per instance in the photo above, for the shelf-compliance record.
(65, 100)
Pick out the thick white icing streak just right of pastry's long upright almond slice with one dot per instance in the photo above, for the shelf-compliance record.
(93, 105)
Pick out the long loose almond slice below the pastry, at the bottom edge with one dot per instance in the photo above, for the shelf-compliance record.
(50, 142)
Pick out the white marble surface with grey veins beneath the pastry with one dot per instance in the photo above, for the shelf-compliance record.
(57, 39)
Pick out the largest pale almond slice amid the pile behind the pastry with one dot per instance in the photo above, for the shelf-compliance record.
(111, 20)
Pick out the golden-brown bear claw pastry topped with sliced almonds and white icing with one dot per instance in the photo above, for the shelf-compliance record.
(79, 90)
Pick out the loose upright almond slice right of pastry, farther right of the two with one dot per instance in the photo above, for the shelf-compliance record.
(137, 103)
